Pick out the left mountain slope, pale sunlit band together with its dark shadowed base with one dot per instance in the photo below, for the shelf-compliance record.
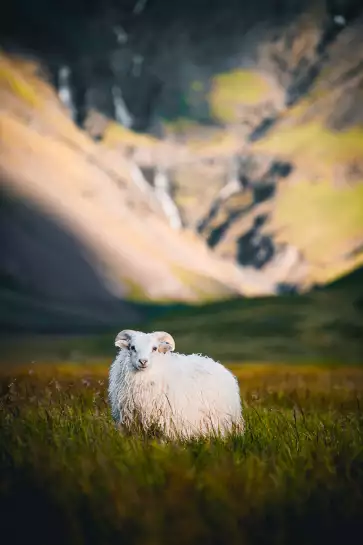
(59, 185)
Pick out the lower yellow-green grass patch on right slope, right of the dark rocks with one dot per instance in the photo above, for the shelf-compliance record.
(320, 219)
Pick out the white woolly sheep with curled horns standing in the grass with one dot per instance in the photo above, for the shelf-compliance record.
(185, 396)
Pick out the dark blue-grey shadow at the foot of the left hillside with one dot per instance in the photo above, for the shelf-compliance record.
(48, 280)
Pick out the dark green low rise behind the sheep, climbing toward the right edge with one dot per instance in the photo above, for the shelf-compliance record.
(323, 326)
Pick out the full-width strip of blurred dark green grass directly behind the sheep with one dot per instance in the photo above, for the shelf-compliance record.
(324, 326)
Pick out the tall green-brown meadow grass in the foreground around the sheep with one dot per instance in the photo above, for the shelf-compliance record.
(295, 477)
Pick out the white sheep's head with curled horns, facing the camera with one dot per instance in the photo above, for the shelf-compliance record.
(142, 347)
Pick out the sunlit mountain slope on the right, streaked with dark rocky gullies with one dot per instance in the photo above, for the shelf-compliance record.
(288, 199)
